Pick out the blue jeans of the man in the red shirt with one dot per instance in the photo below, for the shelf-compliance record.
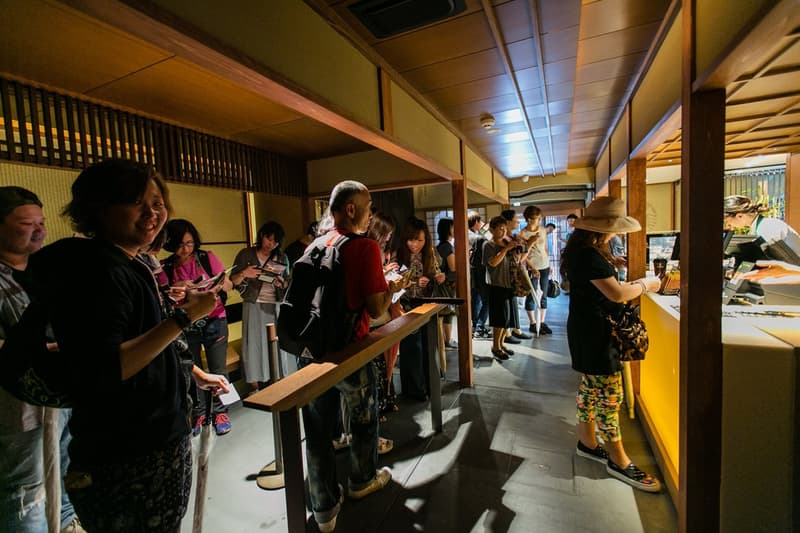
(320, 419)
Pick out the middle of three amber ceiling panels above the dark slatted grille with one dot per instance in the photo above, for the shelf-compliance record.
(180, 90)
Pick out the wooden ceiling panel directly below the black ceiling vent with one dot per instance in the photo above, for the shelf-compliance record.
(456, 37)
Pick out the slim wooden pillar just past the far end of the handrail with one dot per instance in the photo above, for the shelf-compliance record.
(460, 234)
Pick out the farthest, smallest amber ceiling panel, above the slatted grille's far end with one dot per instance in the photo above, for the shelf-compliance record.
(303, 138)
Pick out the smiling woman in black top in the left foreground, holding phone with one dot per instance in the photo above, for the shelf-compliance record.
(130, 456)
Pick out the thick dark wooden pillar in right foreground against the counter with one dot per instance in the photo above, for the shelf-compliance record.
(702, 168)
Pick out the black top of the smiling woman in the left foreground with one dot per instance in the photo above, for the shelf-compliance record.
(97, 298)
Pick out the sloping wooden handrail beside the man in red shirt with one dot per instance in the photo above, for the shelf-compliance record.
(299, 388)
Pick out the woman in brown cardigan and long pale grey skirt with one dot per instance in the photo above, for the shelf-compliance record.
(261, 275)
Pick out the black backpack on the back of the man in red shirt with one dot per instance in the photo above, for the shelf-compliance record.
(313, 319)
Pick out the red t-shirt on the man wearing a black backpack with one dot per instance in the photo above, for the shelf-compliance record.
(363, 276)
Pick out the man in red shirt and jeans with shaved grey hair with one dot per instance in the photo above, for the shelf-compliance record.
(368, 293)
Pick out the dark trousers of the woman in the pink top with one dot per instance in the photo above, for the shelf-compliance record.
(213, 336)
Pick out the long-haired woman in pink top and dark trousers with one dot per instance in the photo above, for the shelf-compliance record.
(190, 267)
